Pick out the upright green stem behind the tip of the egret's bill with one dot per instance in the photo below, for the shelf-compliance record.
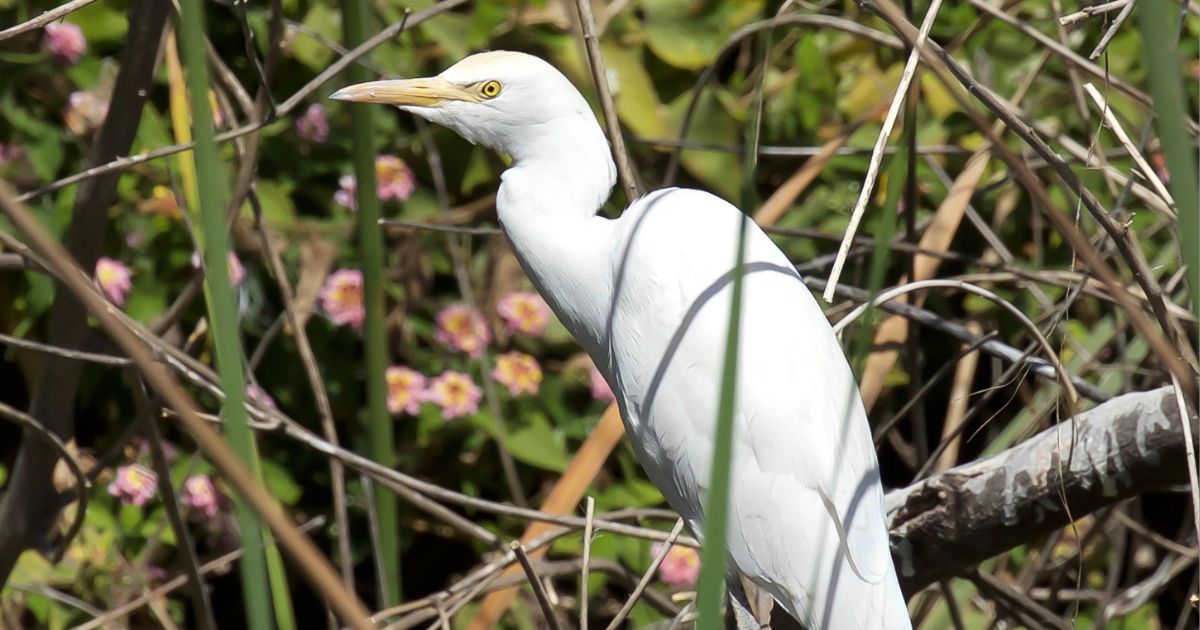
(356, 23)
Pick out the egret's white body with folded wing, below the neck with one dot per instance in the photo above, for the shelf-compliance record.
(808, 521)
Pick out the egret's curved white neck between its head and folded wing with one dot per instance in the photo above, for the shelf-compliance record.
(548, 207)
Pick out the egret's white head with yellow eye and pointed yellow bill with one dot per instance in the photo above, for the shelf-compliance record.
(503, 100)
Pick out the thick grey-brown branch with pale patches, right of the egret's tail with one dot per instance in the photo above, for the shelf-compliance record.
(953, 521)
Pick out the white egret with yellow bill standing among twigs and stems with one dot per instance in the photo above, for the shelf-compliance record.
(649, 297)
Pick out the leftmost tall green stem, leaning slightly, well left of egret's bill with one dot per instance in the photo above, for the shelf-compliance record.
(223, 313)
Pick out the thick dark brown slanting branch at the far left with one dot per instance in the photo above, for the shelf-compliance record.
(31, 506)
